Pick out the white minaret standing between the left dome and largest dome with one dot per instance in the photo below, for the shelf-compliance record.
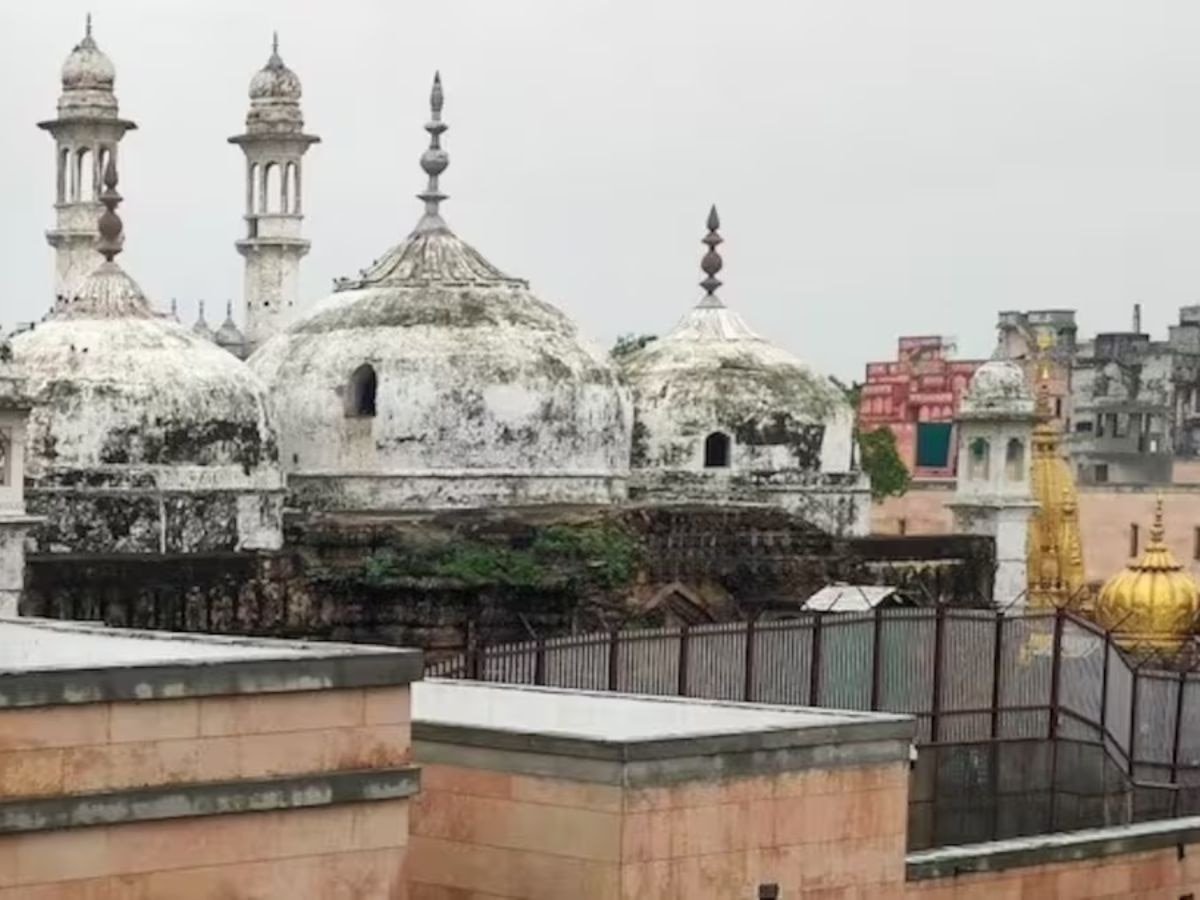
(275, 146)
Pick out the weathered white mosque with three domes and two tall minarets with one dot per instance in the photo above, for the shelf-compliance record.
(433, 380)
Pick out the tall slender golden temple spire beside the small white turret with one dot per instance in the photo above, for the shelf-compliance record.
(1055, 555)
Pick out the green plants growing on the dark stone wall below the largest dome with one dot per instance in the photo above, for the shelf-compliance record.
(602, 556)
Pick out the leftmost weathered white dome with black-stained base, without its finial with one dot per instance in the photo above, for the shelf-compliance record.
(143, 437)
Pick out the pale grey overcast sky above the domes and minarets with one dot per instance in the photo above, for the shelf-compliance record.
(883, 167)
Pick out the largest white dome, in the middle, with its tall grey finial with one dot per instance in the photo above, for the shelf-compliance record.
(437, 381)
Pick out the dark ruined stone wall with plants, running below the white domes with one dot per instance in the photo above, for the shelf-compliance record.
(442, 583)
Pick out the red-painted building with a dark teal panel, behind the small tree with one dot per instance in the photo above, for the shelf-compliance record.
(917, 397)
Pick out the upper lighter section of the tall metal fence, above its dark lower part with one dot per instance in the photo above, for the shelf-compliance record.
(968, 676)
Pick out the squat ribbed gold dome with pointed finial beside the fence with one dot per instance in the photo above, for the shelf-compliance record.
(1153, 604)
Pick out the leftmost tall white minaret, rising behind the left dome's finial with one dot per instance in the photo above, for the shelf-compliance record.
(87, 134)
